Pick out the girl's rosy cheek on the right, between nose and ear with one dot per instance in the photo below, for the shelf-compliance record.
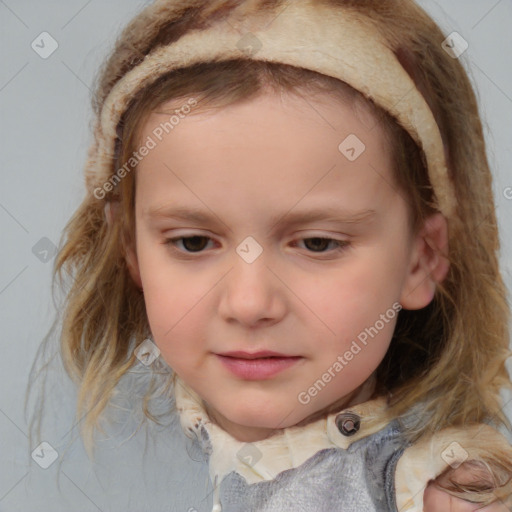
(353, 312)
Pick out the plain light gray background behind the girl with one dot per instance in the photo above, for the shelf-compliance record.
(45, 115)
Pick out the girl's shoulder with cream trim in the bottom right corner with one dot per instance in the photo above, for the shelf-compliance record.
(431, 459)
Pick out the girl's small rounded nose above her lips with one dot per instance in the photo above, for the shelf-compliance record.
(252, 294)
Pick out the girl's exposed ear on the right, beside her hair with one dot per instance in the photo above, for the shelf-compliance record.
(428, 264)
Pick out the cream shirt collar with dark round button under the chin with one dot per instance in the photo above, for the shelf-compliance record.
(288, 448)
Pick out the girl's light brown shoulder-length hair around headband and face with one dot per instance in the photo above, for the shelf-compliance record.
(449, 356)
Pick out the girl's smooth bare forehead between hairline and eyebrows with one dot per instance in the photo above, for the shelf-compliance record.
(266, 151)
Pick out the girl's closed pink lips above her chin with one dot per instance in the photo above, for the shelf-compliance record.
(256, 365)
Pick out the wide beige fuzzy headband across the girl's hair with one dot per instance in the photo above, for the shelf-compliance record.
(335, 42)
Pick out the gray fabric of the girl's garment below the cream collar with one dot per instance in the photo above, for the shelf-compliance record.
(359, 479)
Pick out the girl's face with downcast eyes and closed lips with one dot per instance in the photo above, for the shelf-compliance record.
(249, 170)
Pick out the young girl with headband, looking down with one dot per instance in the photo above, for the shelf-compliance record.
(290, 224)
